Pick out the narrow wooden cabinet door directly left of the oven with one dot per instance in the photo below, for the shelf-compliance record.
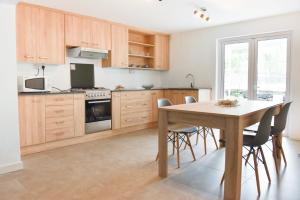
(79, 114)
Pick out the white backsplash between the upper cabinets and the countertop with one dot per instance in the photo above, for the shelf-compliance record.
(59, 75)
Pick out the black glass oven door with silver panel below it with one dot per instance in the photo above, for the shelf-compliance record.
(98, 115)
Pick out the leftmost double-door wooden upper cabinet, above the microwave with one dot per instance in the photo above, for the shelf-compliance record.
(40, 35)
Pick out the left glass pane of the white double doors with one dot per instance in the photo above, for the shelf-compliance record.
(236, 70)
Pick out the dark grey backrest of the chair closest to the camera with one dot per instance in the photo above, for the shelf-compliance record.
(264, 128)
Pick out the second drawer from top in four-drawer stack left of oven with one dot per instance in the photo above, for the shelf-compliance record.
(59, 111)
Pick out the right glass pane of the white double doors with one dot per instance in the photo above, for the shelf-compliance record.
(271, 69)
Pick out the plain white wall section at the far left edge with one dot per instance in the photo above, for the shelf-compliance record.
(9, 129)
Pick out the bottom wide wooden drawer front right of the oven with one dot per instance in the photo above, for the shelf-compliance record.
(136, 119)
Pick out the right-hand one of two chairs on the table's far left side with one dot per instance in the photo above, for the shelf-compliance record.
(202, 131)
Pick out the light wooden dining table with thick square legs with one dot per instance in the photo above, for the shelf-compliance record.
(230, 120)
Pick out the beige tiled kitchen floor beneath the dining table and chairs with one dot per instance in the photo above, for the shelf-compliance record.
(123, 167)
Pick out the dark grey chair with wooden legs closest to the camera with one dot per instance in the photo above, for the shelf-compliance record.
(255, 142)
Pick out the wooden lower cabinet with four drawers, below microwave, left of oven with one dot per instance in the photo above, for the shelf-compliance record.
(47, 118)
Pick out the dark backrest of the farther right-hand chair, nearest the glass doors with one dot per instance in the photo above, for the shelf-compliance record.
(281, 119)
